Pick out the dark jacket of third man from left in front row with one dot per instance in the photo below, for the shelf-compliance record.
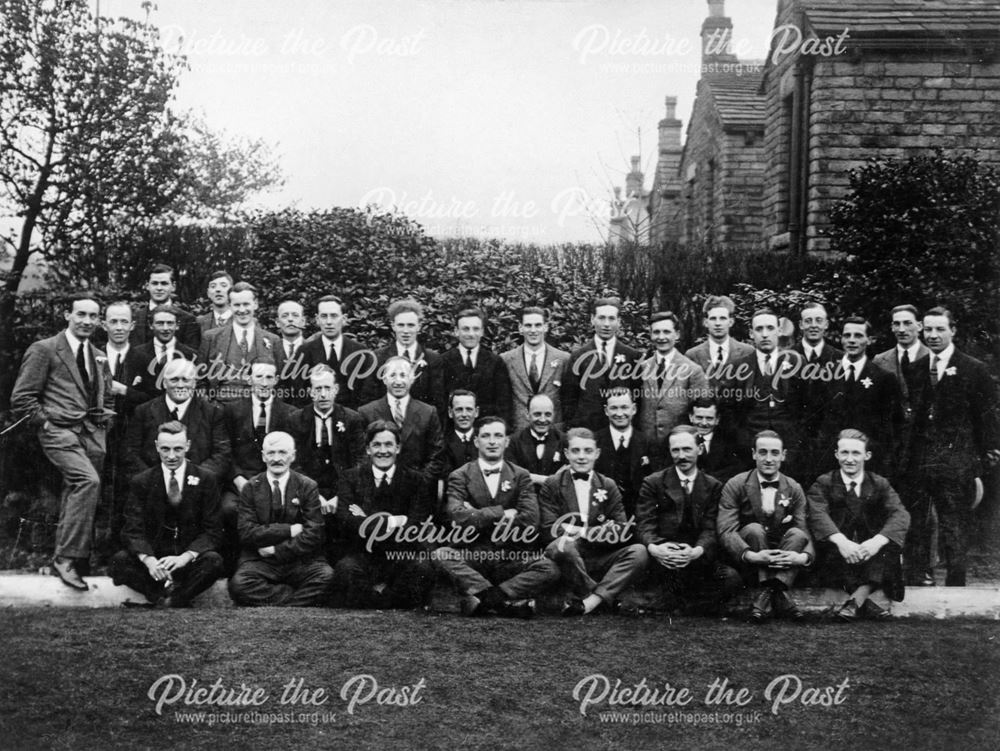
(409, 495)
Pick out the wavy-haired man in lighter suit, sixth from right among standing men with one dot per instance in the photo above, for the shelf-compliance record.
(718, 354)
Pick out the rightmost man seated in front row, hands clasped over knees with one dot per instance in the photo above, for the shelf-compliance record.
(860, 526)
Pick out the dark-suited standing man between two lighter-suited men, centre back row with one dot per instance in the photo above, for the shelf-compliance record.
(602, 364)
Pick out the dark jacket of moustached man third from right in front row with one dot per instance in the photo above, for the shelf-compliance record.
(660, 510)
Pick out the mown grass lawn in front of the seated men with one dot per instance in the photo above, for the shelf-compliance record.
(80, 679)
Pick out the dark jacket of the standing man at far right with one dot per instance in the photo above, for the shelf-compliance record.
(956, 422)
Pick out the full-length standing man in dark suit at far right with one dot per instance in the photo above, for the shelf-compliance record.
(956, 438)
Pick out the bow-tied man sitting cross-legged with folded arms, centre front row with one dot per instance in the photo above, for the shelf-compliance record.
(493, 555)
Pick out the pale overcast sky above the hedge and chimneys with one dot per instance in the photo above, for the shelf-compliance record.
(506, 119)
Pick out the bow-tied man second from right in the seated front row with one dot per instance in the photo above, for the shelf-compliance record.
(762, 527)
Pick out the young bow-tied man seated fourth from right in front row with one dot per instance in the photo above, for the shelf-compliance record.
(586, 531)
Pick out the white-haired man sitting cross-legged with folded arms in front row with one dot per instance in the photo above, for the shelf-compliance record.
(281, 532)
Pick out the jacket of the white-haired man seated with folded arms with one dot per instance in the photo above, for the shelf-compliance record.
(260, 524)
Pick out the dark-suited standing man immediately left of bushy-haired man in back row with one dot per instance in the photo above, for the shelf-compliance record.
(351, 362)
